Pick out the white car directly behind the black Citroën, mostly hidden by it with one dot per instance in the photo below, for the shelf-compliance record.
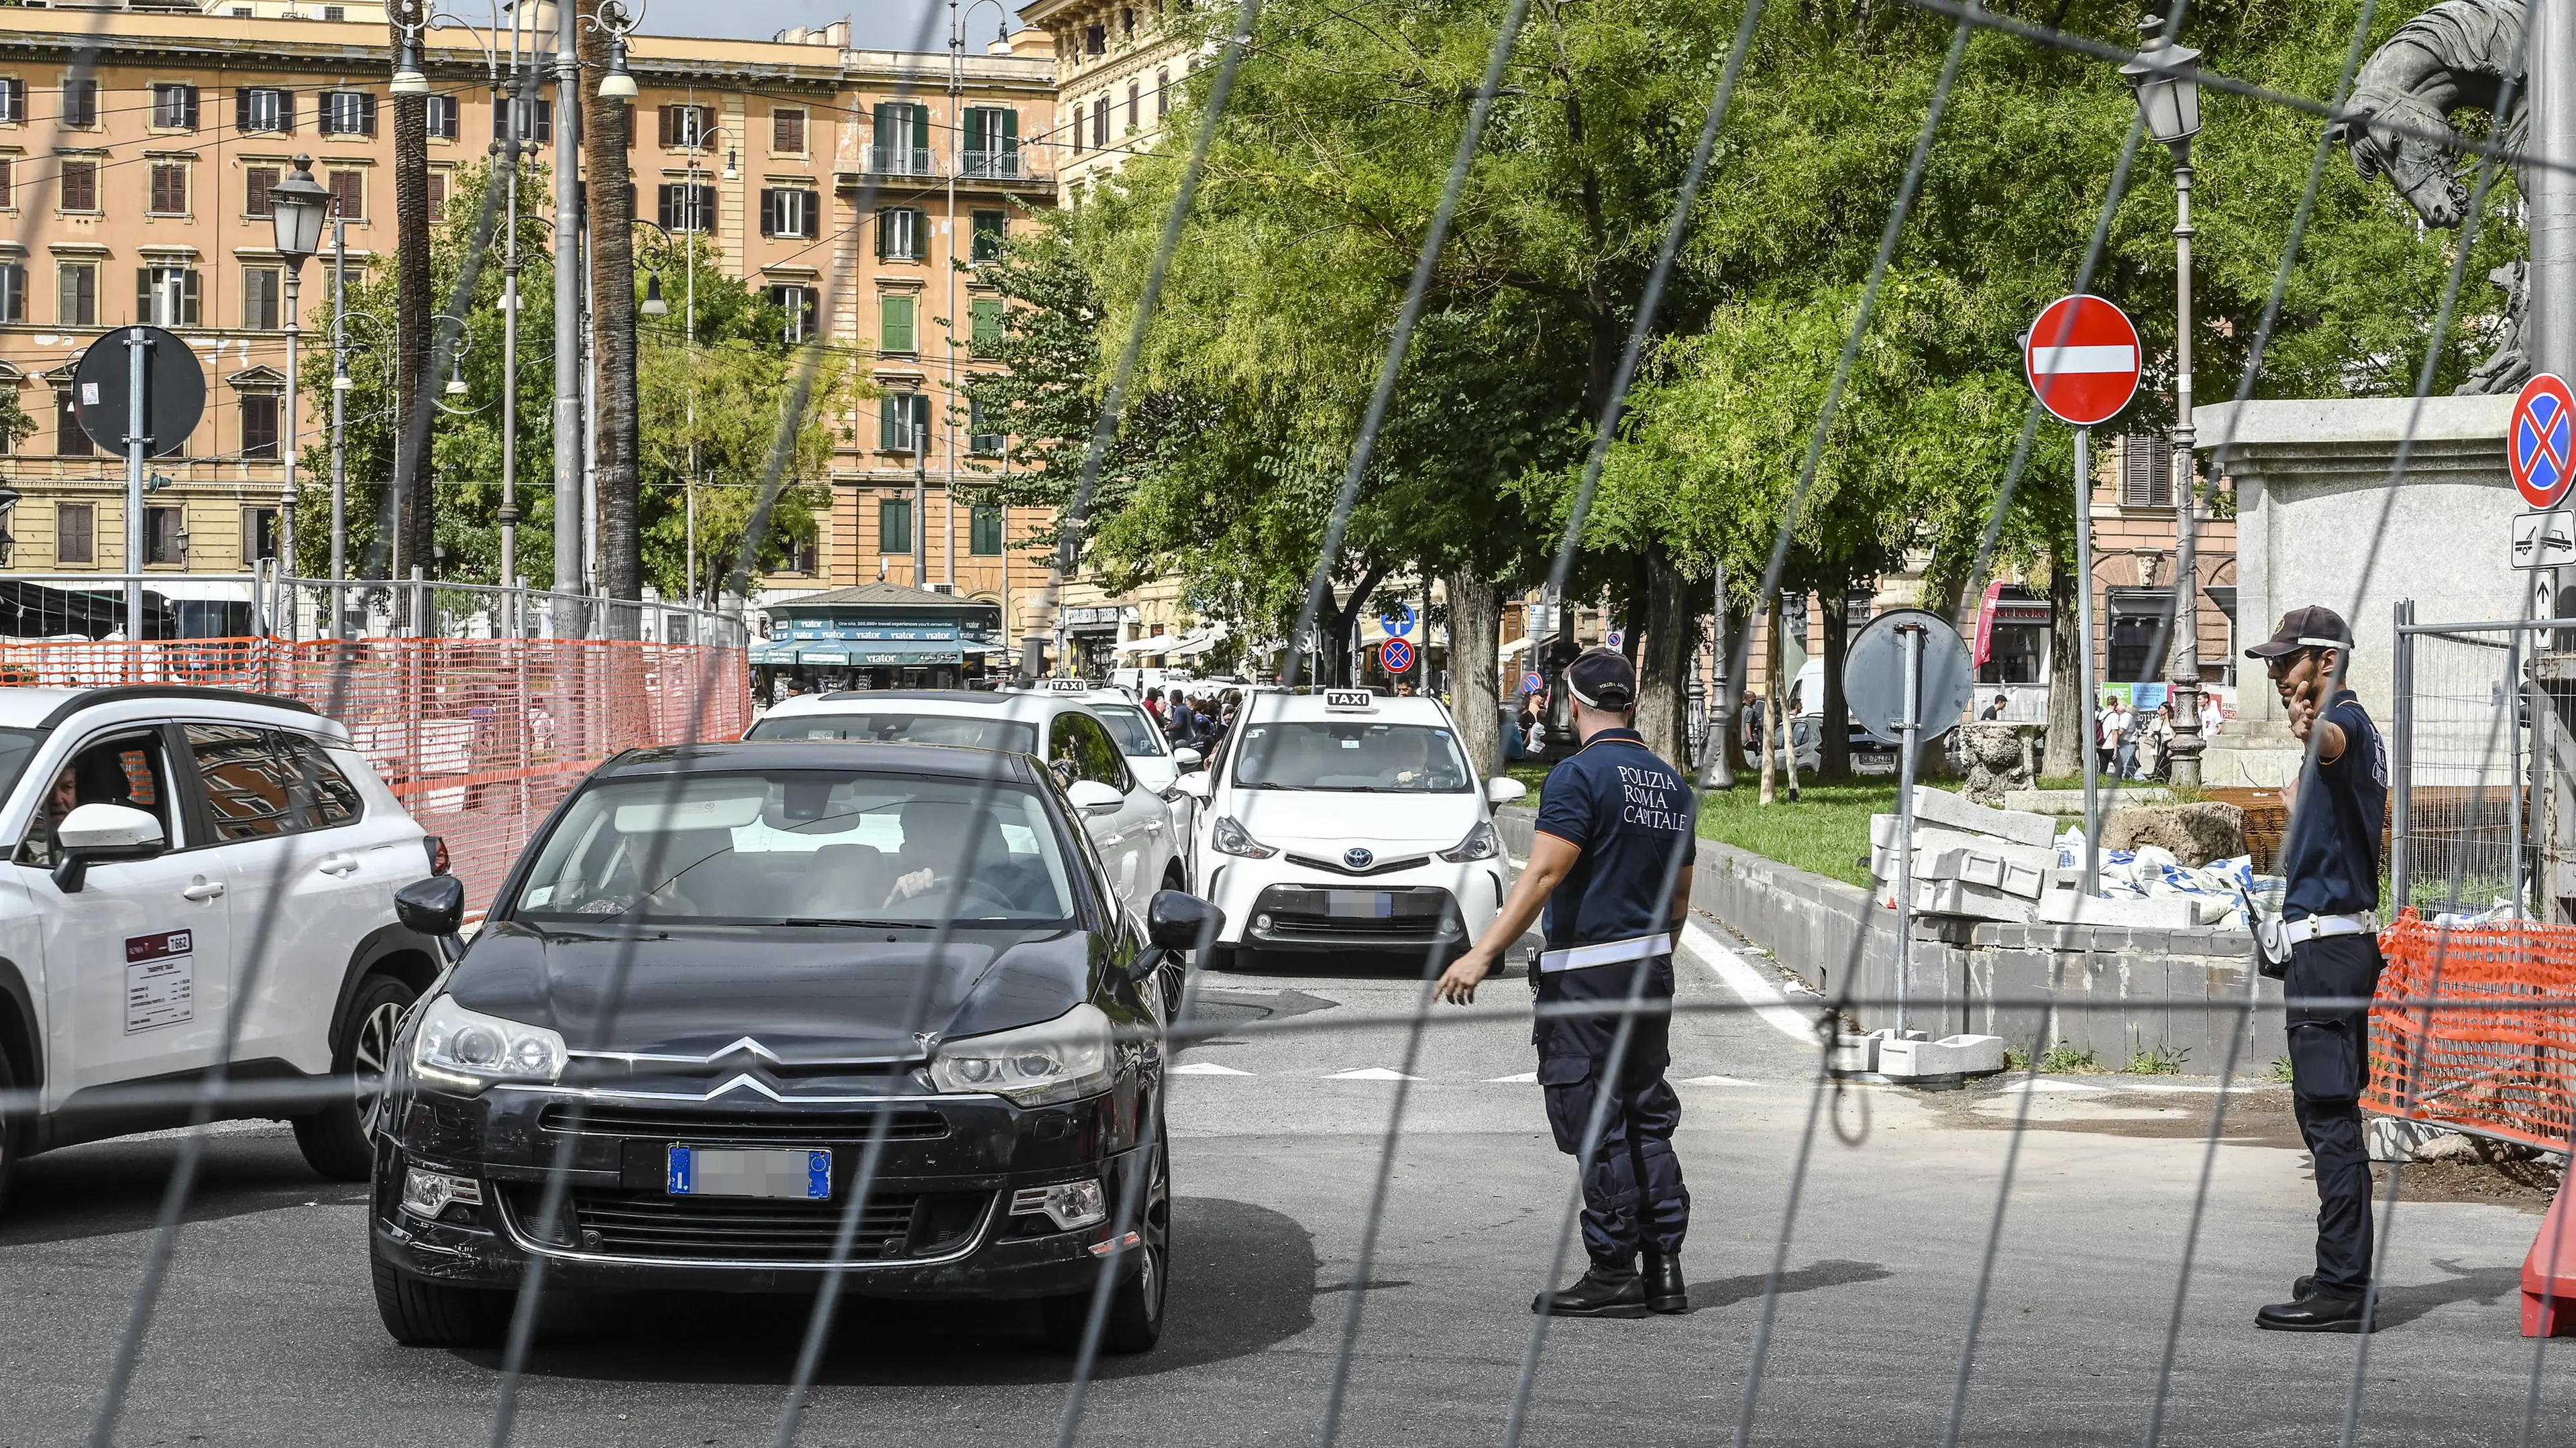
(1137, 831)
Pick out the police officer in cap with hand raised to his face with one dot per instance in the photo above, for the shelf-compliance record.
(2330, 926)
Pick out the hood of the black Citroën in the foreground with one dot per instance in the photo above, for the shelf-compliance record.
(805, 993)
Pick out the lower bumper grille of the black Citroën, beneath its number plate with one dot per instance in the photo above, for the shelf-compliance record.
(748, 1230)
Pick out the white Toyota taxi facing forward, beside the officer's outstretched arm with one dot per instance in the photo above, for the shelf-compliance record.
(1346, 821)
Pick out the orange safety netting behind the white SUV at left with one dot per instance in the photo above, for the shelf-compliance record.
(480, 738)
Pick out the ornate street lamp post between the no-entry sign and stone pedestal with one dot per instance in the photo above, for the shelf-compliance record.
(2165, 79)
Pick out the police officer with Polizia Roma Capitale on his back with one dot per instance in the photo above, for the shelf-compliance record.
(1611, 864)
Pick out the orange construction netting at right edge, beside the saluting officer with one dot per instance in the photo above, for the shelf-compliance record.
(2474, 1027)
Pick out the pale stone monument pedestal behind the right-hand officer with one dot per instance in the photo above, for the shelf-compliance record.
(2315, 483)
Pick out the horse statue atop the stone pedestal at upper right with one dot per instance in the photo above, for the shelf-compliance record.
(2451, 58)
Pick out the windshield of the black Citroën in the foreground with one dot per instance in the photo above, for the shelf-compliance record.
(800, 849)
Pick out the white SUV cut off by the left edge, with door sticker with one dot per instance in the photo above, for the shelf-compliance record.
(169, 867)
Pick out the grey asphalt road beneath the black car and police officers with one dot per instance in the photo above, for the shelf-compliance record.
(267, 1331)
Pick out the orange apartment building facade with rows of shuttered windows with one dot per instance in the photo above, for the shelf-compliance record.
(135, 166)
